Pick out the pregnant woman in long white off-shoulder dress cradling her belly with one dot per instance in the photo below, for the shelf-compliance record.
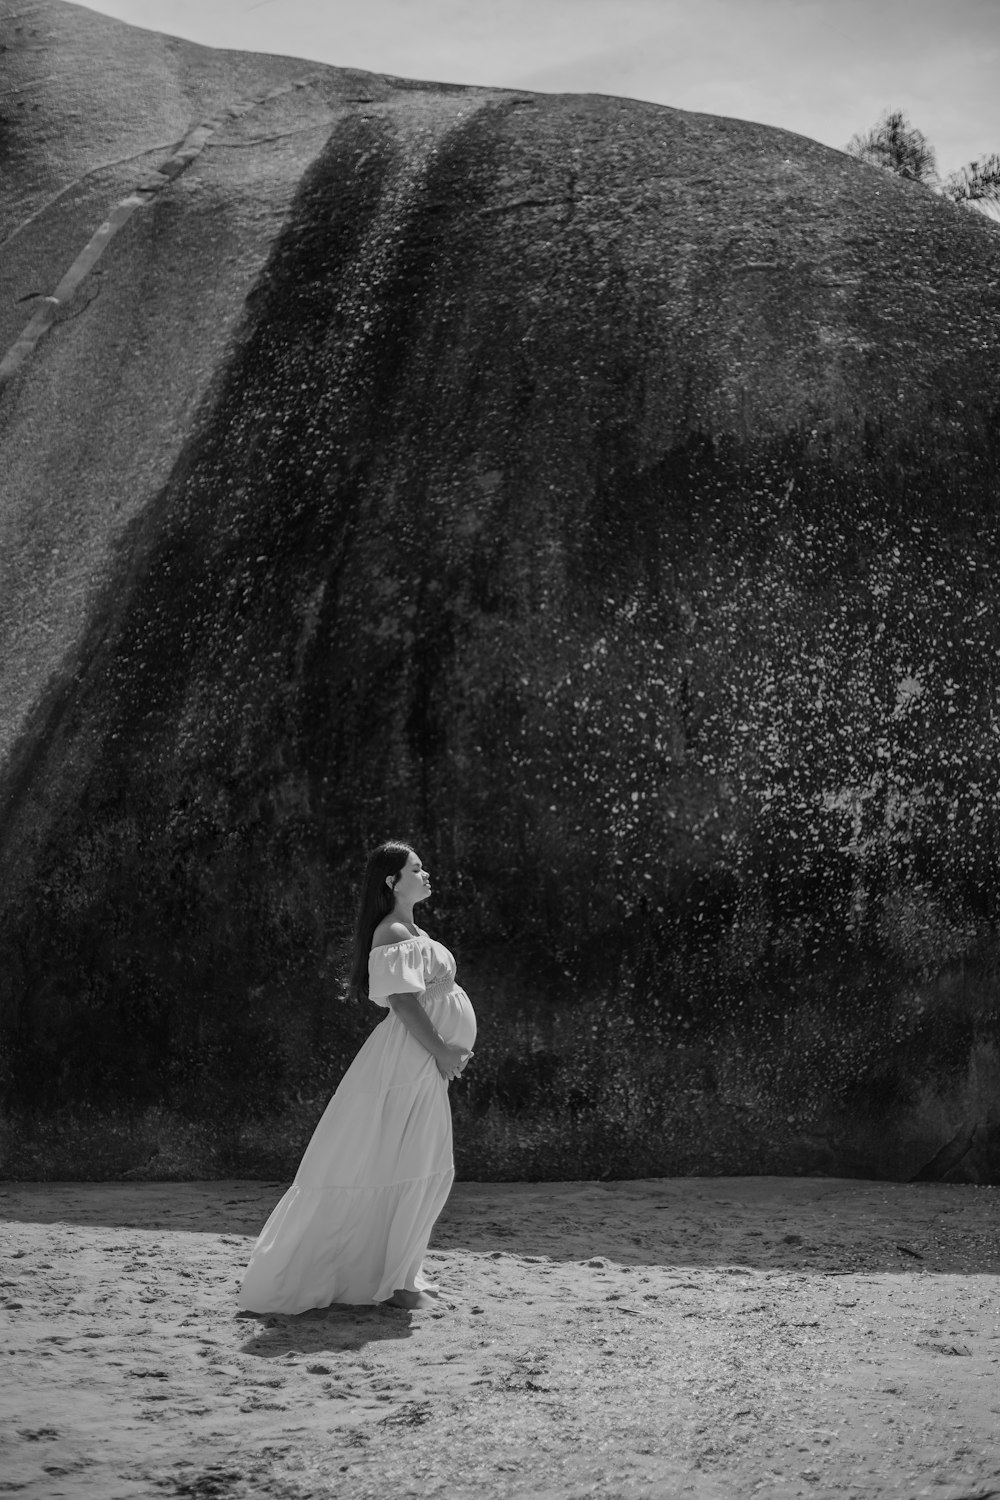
(356, 1223)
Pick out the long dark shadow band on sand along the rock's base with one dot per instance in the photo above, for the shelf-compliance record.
(797, 1225)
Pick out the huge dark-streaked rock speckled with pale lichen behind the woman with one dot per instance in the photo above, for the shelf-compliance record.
(603, 497)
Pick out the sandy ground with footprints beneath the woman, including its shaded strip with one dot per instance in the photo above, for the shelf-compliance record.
(690, 1337)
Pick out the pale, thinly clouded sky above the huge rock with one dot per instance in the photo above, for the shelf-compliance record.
(822, 68)
